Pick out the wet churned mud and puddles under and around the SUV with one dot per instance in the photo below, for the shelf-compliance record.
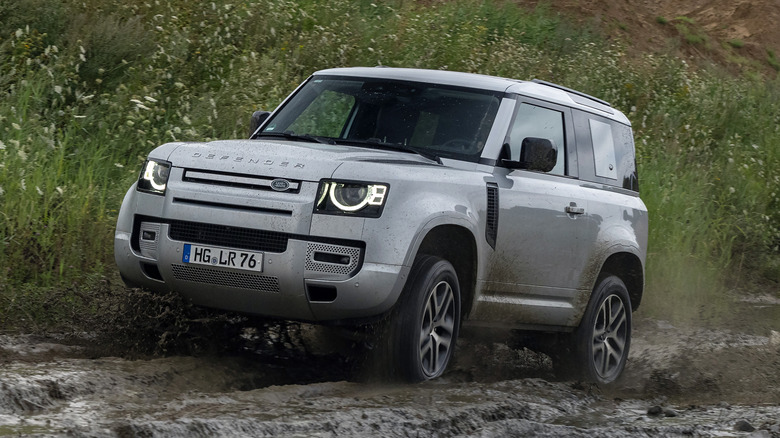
(679, 382)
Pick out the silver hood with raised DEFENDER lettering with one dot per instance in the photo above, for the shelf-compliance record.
(284, 159)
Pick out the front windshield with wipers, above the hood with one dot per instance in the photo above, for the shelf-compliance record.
(430, 119)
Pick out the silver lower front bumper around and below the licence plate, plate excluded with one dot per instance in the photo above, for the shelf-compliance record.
(292, 285)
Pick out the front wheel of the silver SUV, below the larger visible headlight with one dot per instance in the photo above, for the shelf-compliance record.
(424, 326)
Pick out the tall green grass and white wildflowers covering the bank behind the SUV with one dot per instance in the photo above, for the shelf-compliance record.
(90, 86)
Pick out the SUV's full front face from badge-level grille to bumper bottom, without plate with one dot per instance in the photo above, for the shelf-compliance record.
(353, 280)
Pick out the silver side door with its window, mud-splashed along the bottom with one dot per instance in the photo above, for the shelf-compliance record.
(534, 272)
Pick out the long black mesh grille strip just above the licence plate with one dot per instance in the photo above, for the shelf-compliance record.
(232, 237)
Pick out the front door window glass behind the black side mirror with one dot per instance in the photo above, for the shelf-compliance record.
(535, 121)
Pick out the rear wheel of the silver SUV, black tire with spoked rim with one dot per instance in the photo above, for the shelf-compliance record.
(603, 338)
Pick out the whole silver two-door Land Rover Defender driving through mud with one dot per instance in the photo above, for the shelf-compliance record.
(411, 200)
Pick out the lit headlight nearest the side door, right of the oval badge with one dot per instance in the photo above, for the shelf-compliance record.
(351, 198)
